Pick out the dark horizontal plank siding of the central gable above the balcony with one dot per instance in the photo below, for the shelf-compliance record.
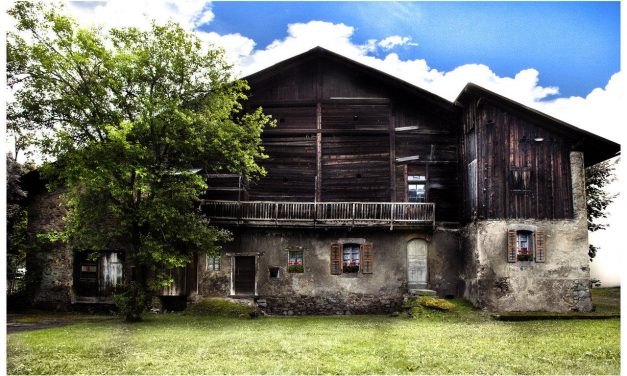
(341, 129)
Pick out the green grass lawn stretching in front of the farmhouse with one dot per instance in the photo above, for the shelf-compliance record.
(461, 341)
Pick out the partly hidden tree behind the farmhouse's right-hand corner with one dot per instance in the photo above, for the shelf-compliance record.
(598, 199)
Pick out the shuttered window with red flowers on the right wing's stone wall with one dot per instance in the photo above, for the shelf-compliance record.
(525, 245)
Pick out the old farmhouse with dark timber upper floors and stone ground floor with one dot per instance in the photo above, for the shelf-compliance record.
(377, 189)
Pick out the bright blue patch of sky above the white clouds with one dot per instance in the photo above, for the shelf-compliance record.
(574, 45)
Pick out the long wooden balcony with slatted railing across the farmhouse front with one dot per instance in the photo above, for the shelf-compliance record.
(322, 214)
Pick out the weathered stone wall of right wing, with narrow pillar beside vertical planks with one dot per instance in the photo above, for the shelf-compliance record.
(561, 283)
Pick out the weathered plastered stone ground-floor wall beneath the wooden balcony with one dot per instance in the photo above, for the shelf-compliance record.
(316, 290)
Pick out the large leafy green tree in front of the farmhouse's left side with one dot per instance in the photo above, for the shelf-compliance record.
(126, 116)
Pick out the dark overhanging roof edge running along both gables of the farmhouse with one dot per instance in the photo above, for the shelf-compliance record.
(596, 148)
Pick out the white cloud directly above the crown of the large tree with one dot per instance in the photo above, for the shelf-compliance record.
(139, 13)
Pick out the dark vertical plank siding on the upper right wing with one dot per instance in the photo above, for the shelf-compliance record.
(523, 169)
